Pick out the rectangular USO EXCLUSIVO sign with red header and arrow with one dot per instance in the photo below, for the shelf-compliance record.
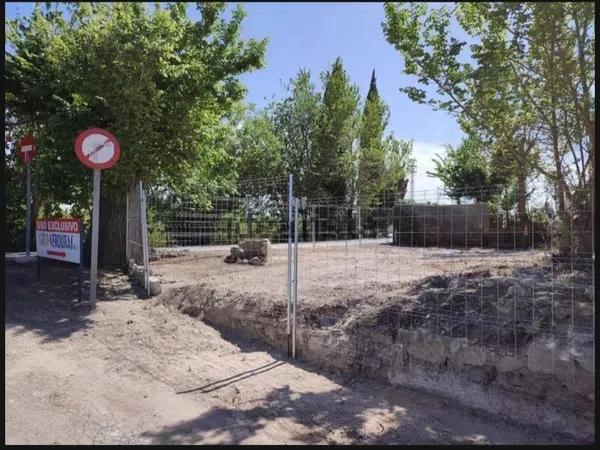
(59, 239)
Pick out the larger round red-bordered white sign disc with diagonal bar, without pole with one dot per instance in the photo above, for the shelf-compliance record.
(97, 148)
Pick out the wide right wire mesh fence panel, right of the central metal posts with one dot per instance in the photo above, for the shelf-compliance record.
(487, 283)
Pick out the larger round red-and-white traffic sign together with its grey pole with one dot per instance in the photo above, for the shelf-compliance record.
(97, 149)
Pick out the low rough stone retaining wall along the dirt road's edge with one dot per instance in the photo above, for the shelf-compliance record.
(541, 385)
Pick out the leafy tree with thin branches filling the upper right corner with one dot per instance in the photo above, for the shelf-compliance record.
(524, 86)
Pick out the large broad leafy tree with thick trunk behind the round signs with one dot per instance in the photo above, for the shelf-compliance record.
(160, 82)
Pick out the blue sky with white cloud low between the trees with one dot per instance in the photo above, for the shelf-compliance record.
(312, 36)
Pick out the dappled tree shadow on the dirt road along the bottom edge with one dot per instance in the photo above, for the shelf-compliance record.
(348, 415)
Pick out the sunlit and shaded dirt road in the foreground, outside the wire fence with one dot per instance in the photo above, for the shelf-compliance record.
(134, 371)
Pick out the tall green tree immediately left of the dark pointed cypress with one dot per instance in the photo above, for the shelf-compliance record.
(337, 131)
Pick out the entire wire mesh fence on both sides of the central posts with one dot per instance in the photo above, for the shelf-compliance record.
(485, 269)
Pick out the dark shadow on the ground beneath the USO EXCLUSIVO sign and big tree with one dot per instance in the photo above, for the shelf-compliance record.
(49, 306)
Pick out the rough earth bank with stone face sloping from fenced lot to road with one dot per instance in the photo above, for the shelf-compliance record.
(437, 334)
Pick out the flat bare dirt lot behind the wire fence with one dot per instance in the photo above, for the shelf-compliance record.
(328, 272)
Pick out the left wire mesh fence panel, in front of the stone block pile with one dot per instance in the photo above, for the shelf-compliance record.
(236, 244)
